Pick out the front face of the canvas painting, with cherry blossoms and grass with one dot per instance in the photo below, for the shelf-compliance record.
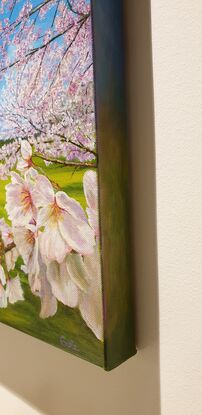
(50, 252)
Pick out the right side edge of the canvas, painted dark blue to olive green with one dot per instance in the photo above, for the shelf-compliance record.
(114, 189)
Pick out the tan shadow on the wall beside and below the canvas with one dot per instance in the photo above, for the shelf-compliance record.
(58, 384)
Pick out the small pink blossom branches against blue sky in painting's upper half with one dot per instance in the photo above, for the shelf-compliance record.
(47, 91)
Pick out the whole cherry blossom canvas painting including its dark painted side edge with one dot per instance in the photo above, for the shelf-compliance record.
(65, 253)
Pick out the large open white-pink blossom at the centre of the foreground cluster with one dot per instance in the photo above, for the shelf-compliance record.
(65, 223)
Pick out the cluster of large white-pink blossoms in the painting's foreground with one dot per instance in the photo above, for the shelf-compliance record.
(57, 241)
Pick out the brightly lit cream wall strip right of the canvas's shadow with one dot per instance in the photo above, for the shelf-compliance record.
(177, 61)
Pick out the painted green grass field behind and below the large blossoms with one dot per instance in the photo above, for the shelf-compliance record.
(66, 329)
